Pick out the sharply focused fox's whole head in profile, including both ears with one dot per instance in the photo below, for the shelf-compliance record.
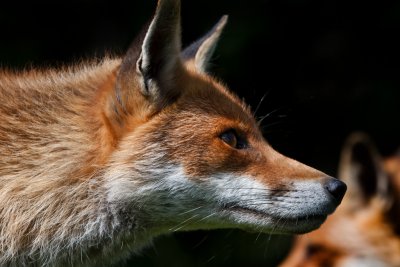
(188, 154)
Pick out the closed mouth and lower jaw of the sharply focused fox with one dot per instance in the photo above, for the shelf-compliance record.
(281, 224)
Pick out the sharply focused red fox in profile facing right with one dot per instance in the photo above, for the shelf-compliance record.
(99, 158)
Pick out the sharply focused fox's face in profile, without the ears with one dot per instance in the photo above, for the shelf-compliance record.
(210, 167)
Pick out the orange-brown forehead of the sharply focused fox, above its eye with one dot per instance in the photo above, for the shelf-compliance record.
(206, 108)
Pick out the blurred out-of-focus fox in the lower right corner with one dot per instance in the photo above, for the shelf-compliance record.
(365, 230)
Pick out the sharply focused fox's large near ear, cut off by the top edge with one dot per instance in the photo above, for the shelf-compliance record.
(153, 62)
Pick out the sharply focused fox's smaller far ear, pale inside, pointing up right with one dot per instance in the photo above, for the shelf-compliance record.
(202, 50)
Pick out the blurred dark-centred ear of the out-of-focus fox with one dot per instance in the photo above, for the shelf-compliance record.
(361, 168)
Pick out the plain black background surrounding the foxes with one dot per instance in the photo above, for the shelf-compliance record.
(326, 68)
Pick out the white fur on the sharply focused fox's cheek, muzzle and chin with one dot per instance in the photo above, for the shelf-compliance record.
(174, 201)
